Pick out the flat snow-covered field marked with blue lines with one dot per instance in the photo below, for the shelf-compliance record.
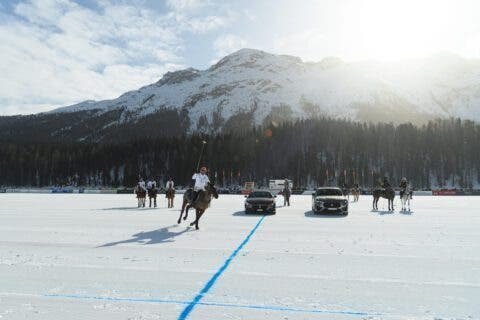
(74, 256)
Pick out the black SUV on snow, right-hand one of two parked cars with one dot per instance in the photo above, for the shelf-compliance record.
(329, 200)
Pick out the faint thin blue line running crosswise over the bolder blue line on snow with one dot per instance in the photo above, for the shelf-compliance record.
(213, 304)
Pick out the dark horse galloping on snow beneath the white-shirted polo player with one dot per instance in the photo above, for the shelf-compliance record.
(200, 204)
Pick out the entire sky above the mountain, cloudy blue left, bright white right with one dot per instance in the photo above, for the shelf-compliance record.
(59, 52)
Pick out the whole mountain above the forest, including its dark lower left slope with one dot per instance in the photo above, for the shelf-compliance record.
(254, 87)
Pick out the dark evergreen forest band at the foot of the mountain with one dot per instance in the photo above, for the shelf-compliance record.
(311, 152)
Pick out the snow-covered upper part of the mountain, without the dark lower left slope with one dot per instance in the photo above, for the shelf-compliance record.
(278, 86)
